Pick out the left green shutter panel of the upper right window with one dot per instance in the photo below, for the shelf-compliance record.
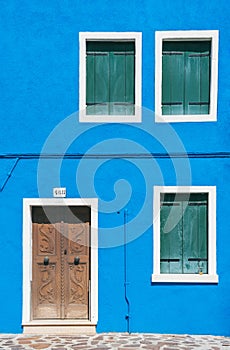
(172, 79)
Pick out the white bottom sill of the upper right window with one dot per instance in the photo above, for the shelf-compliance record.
(180, 118)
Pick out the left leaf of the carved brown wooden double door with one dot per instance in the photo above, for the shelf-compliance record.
(46, 296)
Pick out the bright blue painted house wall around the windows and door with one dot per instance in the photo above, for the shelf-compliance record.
(39, 89)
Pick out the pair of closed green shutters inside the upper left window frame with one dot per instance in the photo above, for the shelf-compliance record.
(110, 78)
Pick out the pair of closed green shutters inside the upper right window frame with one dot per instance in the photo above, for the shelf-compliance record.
(186, 77)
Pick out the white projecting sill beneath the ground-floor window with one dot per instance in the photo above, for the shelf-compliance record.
(185, 278)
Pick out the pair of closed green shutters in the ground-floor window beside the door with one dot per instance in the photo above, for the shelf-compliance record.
(184, 235)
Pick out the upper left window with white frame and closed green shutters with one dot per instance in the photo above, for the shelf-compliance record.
(110, 77)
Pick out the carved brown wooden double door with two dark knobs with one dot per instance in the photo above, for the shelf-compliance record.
(60, 281)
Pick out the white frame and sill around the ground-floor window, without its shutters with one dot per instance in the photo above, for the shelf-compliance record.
(211, 277)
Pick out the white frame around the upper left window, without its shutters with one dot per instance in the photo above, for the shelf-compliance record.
(111, 36)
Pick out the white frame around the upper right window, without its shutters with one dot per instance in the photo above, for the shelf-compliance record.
(202, 35)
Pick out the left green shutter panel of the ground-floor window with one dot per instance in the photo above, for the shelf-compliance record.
(171, 238)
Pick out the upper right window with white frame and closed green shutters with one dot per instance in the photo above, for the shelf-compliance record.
(186, 76)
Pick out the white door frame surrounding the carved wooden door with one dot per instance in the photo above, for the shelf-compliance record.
(28, 203)
